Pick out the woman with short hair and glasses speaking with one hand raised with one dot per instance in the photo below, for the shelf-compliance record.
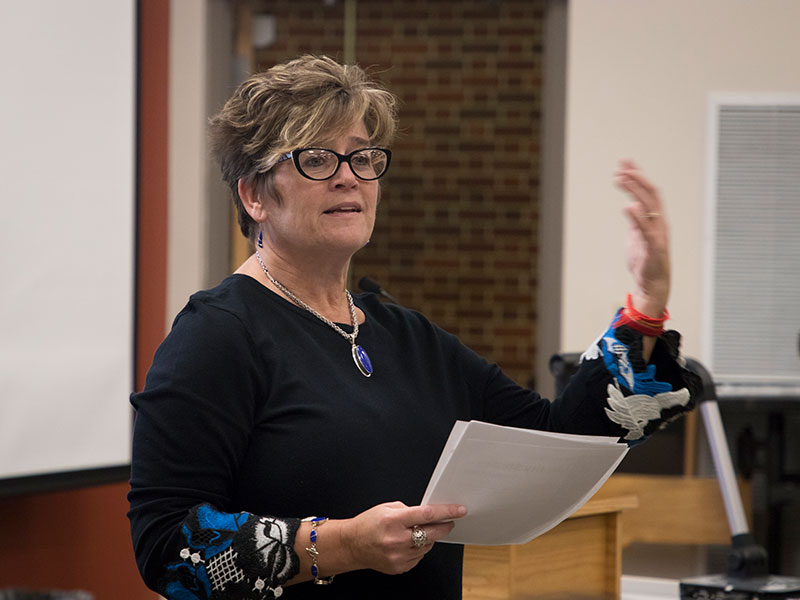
(287, 430)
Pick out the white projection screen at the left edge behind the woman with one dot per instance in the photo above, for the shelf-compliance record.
(67, 183)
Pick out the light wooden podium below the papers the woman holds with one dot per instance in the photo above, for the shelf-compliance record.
(581, 558)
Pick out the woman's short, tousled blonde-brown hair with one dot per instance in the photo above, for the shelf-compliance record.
(293, 105)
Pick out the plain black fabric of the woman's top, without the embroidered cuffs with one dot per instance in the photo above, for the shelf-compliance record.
(253, 404)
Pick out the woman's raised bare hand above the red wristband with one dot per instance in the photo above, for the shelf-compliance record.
(648, 241)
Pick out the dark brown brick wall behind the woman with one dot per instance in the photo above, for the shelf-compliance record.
(456, 234)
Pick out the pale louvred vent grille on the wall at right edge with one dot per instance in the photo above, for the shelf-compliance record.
(756, 266)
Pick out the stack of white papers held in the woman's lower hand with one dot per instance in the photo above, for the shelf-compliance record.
(517, 483)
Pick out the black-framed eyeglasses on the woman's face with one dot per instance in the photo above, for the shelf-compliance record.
(320, 164)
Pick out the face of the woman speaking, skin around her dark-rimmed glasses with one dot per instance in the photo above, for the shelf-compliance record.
(334, 215)
